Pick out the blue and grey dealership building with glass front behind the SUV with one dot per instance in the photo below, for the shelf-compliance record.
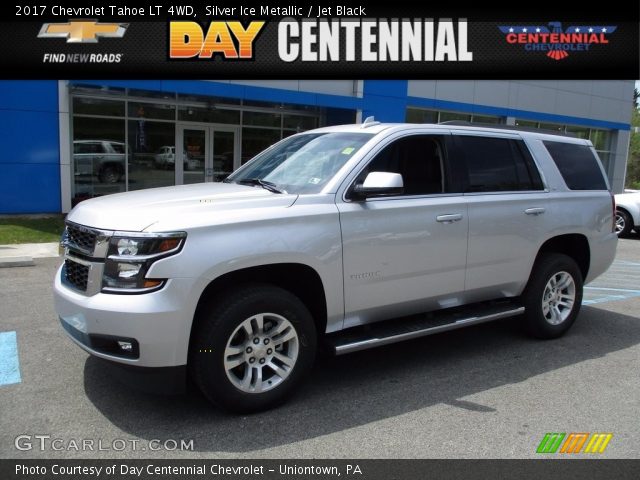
(66, 141)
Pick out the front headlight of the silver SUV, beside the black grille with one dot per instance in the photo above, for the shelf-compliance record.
(131, 255)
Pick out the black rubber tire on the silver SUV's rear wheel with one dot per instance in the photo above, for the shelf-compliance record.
(537, 322)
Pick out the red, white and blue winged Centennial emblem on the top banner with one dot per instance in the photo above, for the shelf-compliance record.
(557, 43)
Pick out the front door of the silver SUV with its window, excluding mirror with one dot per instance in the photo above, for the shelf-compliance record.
(406, 253)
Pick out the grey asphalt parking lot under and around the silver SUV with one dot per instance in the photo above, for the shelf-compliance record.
(482, 392)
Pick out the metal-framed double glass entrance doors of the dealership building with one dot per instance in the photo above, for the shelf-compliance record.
(206, 153)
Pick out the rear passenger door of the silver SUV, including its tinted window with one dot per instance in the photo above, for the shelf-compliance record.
(507, 205)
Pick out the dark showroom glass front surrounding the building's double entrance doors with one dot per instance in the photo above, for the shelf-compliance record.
(124, 139)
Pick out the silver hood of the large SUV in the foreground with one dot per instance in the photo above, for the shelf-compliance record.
(172, 206)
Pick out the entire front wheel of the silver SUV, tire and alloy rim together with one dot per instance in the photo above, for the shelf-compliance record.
(252, 348)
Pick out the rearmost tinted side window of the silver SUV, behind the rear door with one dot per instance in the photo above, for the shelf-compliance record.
(578, 165)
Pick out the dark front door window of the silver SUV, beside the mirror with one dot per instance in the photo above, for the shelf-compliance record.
(419, 159)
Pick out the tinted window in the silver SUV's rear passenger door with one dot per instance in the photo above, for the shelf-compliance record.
(498, 165)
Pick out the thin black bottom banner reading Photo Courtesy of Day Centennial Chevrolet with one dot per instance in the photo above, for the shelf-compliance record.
(321, 469)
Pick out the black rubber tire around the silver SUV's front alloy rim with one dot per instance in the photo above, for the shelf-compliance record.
(220, 322)
